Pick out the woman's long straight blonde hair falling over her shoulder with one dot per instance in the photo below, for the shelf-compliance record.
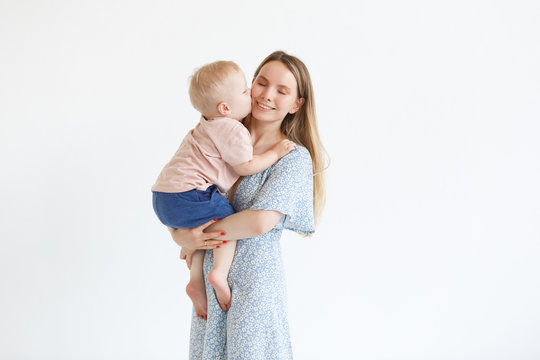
(301, 127)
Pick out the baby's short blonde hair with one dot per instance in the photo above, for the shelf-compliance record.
(206, 82)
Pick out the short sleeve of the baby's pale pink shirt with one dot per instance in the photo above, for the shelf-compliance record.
(234, 144)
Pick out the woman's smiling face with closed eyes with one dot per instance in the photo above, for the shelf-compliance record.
(274, 93)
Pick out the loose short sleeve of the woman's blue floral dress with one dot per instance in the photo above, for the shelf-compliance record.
(289, 190)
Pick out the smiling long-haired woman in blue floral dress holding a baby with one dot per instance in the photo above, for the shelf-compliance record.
(288, 195)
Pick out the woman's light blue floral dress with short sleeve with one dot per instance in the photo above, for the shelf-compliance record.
(256, 325)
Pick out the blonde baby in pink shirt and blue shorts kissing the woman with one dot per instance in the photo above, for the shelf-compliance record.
(189, 190)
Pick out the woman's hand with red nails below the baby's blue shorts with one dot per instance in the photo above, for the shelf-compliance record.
(196, 239)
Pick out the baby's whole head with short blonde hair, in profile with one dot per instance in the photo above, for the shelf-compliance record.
(219, 89)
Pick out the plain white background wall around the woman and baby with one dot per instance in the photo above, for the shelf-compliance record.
(430, 243)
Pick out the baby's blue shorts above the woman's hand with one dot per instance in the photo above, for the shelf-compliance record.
(191, 208)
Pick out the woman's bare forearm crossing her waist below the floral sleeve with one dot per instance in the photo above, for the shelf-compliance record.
(246, 224)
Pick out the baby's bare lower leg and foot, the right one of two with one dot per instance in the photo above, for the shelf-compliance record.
(223, 258)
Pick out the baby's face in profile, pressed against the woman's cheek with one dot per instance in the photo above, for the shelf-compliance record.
(238, 95)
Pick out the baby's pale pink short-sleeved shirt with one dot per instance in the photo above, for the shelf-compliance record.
(206, 156)
